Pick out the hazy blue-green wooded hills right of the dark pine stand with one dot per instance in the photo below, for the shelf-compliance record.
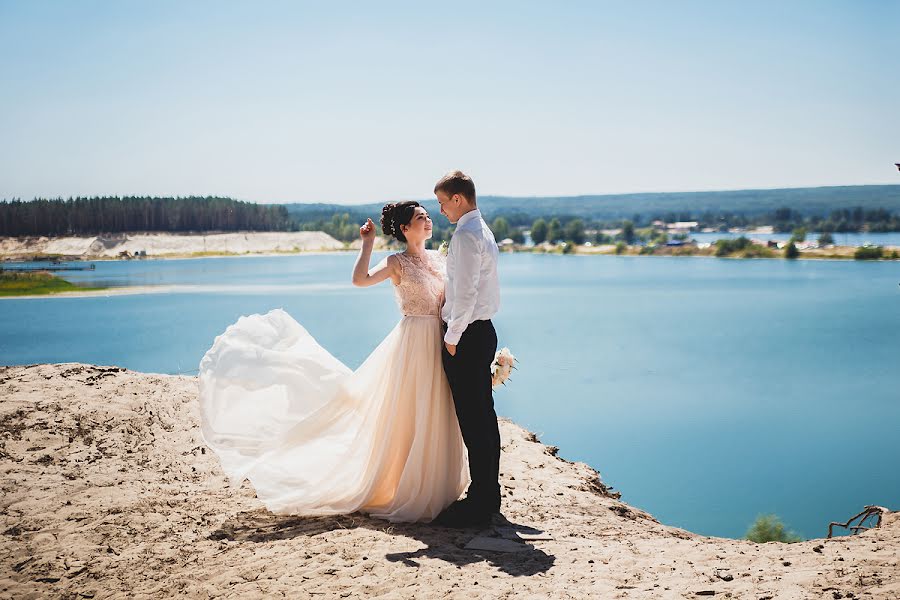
(873, 208)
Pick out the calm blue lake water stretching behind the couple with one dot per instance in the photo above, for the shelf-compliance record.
(706, 390)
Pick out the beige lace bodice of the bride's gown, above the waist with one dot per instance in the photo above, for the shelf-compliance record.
(421, 288)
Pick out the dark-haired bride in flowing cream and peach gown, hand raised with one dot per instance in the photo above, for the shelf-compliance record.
(315, 437)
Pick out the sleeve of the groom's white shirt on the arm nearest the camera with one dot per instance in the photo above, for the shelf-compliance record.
(466, 252)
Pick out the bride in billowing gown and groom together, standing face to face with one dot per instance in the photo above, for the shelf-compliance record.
(403, 436)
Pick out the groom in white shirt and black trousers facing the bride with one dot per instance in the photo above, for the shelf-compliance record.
(470, 342)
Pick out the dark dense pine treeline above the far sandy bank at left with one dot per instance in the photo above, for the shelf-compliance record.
(91, 216)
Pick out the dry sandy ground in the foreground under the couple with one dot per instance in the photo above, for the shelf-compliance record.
(108, 492)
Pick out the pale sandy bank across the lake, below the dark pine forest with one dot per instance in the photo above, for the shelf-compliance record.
(157, 244)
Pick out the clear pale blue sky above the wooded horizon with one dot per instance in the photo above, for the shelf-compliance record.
(363, 102)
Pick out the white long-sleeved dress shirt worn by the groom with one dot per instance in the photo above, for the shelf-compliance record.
(472, 287)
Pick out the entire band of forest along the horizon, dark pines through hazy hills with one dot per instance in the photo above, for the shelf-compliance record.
(824, 209)
